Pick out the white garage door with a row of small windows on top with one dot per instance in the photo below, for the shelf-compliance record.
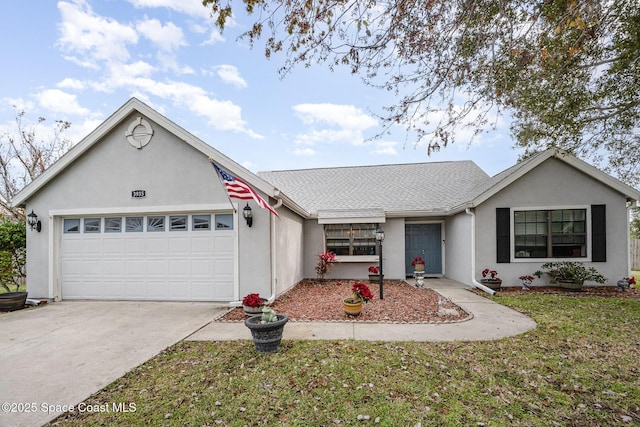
(176, 257)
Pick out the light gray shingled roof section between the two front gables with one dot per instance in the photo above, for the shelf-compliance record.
(397, 190)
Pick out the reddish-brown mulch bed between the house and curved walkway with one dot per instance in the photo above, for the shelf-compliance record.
(321, 300)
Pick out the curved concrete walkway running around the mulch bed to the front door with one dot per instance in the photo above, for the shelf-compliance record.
(490, 321)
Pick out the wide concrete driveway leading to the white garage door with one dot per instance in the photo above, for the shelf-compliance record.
(61, 353)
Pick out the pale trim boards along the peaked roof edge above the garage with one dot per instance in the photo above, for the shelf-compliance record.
(130, 107)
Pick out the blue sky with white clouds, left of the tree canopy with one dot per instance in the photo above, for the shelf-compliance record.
(80, 60)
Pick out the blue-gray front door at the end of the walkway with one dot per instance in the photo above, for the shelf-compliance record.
(425, 241)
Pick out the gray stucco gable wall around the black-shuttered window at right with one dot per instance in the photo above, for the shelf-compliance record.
(553, 185)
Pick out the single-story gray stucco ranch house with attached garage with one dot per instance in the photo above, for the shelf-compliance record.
(135, 211)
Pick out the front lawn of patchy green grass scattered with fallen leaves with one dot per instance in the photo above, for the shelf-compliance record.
(579, 367)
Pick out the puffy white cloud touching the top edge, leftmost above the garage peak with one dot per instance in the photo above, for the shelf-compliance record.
(92, 37)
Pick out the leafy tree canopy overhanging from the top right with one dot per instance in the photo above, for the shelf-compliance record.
(567, 71)
